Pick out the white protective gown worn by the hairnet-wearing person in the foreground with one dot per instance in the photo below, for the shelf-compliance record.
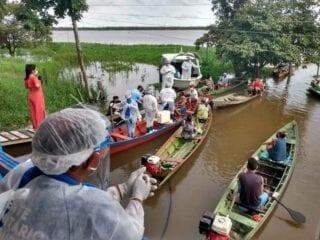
(66, 209)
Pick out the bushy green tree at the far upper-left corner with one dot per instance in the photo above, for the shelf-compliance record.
(15, 32)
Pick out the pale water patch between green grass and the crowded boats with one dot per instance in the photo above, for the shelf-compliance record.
(116, 82)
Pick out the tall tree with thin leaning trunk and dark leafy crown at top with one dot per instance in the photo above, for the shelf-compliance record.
(62, 8)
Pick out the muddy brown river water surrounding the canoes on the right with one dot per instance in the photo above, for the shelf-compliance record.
(236, 133)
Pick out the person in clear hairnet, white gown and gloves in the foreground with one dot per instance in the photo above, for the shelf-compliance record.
(47, 198)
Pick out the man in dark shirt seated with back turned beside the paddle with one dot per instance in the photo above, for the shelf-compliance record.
(251, 187)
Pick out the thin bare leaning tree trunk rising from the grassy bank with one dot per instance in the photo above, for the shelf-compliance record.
(80, 58)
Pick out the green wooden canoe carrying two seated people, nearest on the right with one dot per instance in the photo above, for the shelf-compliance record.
(277, 176)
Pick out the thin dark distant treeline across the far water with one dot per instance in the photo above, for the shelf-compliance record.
(130, 28)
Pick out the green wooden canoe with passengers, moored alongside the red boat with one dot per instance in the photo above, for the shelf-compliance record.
(176, 150)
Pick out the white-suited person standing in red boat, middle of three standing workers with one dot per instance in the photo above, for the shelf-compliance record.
(150, 104)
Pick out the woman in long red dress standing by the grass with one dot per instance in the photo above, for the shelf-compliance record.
(35, 96)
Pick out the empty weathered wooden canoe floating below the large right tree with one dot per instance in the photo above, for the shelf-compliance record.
(232, 100)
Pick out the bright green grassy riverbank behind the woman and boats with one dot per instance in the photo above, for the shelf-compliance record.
(51, 59)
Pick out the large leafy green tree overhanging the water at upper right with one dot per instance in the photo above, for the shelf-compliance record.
(252, 34)
